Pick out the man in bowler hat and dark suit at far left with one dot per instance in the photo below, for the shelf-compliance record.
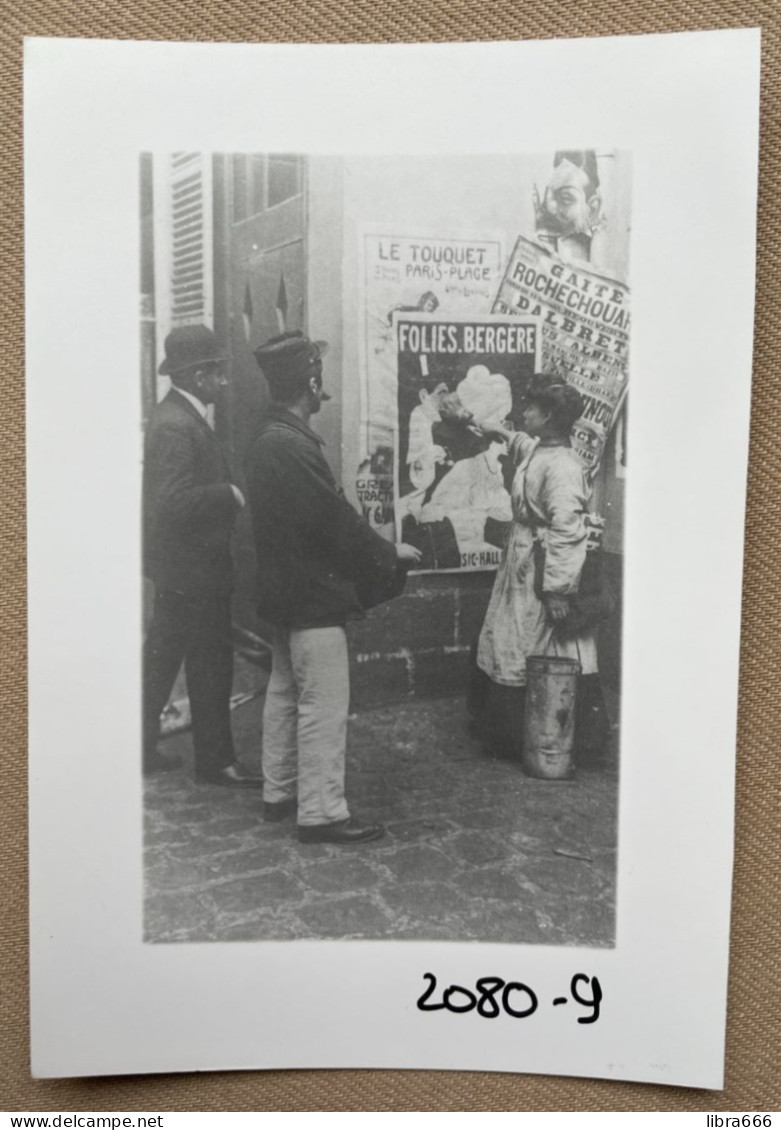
(190, 507)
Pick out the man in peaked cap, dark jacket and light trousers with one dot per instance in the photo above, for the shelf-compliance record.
(315, 555)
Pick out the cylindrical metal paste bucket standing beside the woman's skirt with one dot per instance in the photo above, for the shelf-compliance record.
(550, 717)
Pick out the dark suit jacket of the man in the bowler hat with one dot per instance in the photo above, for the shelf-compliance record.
(189, 506)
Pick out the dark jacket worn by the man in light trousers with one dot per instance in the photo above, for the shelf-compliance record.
(313, 547)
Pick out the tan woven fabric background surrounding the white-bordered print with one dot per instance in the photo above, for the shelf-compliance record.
(754, 1036)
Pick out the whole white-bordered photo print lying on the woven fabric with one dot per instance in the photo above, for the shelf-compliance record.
(387, 436)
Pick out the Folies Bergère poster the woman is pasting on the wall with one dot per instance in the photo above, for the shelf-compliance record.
(453, 499)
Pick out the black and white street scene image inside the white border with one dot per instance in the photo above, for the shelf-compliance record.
(383, 605)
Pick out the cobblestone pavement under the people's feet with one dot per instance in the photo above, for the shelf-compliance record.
(475, 850)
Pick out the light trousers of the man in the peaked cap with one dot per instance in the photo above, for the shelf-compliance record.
(306, 724)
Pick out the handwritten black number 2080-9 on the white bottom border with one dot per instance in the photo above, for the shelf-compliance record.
(517, 999)
